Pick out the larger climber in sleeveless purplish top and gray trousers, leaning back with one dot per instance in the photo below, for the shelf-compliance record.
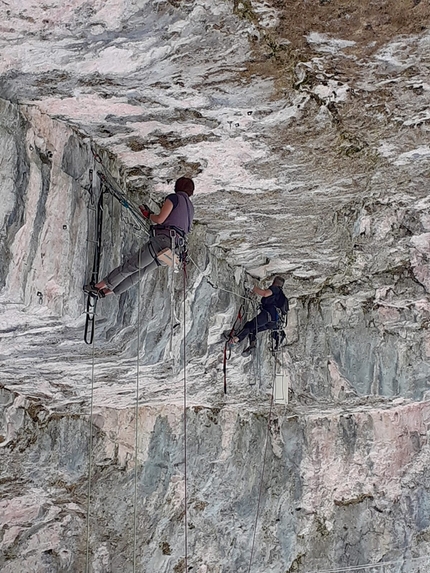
(176, 215)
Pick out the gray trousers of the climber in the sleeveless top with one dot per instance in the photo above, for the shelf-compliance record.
(134, 268)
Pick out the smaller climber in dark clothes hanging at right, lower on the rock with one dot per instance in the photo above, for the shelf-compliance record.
(267, 319)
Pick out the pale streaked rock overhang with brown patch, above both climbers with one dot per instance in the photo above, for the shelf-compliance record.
(304, 129)
